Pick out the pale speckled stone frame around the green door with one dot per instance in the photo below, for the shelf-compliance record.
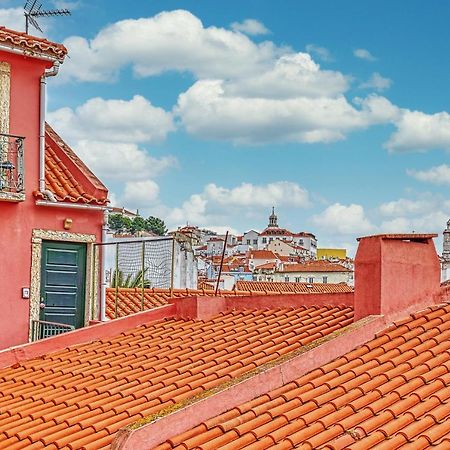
(37, 237)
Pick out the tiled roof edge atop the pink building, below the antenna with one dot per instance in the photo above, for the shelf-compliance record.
(31, 44)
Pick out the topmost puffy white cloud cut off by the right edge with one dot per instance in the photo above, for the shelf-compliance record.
(419, 131)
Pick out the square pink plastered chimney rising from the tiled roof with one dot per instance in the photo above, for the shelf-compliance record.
(395, 272)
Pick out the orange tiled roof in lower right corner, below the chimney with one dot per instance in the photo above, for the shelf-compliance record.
(391, 393)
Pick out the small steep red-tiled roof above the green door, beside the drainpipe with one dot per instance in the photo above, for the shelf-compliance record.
(76, 184)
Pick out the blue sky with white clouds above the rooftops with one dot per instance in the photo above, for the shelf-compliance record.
(211, 112)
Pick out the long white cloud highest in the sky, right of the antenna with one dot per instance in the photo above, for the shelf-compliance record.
(175, 40)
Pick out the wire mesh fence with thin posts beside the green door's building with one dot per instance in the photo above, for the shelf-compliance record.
(136, 264)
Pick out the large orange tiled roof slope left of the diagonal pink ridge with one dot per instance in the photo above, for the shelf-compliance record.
(81, 396)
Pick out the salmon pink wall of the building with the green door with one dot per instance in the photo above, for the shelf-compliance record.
(17, 220)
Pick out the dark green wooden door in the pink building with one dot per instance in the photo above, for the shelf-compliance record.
(63, 283)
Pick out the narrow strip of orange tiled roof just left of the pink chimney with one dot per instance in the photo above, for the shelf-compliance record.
(278, 287)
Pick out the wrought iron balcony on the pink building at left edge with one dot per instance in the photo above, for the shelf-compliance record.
(12, 181)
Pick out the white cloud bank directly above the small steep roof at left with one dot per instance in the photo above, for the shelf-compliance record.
(109, 136)
